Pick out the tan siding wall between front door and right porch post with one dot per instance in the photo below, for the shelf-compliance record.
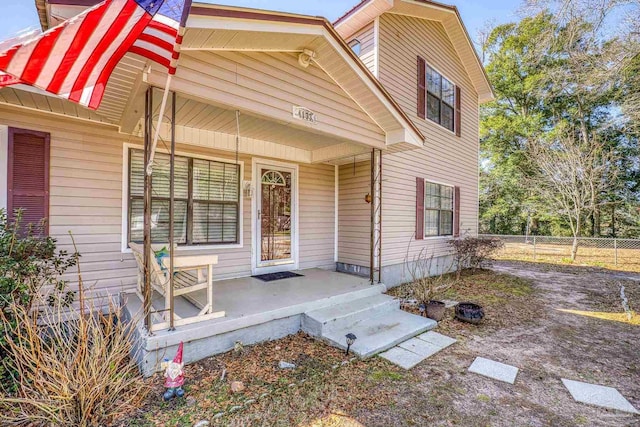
(354, 214)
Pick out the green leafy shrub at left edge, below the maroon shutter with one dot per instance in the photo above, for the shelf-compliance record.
(29, 266)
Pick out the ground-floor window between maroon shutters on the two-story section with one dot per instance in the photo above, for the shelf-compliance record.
(438, 209)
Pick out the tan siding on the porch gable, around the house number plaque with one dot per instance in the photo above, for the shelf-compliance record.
(269, 85)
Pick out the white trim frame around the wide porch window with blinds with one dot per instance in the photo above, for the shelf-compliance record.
(124, 244)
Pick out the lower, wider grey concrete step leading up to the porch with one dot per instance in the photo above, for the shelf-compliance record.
(380, 333)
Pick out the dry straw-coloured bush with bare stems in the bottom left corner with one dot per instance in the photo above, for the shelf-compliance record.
(75, 369)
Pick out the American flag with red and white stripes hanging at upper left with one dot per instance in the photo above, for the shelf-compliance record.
(75, 59)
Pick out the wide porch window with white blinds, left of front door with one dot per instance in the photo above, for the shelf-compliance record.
(206, 194)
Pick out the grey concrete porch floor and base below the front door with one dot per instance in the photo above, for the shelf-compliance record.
(255, 311)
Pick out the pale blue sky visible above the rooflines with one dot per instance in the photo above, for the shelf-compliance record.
(18, 15)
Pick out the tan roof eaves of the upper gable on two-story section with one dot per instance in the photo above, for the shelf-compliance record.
(449, 16)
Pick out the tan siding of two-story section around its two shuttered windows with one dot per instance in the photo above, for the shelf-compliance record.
(445, 158)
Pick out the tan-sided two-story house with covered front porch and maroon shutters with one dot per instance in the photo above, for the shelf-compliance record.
(338, 151)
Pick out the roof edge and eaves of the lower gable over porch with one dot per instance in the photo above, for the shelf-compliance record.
(282, 32)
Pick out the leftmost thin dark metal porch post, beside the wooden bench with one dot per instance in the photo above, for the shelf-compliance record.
(147, 211)
